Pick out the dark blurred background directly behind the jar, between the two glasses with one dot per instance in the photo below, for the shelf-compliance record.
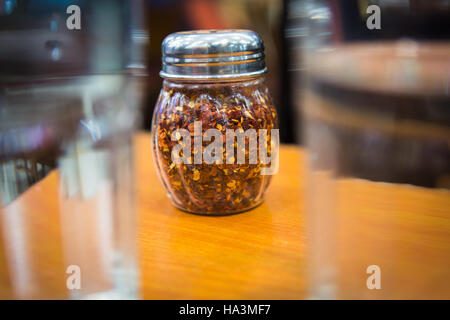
(266, 17)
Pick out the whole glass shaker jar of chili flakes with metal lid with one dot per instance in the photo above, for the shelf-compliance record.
(214, 130)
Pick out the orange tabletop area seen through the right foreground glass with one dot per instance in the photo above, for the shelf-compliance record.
(403, 229)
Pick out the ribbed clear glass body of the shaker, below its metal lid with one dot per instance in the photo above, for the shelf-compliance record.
(208, 180)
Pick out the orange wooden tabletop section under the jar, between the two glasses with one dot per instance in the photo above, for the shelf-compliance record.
(256, 255)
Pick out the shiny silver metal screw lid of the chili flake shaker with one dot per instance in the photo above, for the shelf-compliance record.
(212, 55)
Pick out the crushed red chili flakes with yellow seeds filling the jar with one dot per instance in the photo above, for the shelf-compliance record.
(217, 188)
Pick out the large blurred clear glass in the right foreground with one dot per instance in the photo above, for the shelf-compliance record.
(376, 124)
